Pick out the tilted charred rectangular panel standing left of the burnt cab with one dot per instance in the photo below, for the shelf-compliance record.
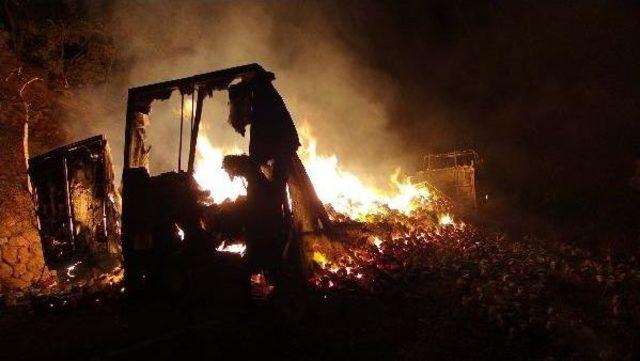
(77, 207)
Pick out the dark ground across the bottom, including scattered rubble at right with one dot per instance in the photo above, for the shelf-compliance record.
(500, 299)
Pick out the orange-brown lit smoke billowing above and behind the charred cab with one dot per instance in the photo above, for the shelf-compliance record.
(325, 86)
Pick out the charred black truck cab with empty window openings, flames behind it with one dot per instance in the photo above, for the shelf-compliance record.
(169, 220)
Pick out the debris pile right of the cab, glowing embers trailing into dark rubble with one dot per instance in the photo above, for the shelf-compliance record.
(524, 287)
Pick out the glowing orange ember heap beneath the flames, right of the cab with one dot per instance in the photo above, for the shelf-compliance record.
(383, 247)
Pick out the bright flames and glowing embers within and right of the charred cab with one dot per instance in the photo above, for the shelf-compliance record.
(380, 230)
